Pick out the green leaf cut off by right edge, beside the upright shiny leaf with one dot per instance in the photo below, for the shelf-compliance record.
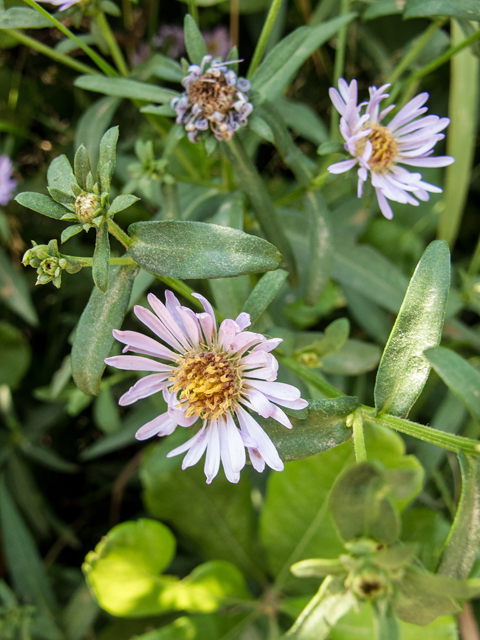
(459, 375)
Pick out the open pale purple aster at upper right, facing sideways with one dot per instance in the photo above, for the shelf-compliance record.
(379, 149)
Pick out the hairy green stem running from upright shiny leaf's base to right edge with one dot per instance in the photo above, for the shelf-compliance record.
(427, 434)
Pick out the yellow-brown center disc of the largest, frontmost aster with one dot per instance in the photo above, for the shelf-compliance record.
(210, 382)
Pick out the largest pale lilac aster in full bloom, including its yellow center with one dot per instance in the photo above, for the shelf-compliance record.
(211, 375)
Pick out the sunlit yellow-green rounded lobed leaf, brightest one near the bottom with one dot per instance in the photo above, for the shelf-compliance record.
(125, 574)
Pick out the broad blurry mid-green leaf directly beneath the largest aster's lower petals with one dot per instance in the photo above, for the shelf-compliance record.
(217, 520)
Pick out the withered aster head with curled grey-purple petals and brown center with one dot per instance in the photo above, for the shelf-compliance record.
(214, 96)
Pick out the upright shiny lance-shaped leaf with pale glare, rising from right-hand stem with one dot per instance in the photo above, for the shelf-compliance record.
(404, 369)
